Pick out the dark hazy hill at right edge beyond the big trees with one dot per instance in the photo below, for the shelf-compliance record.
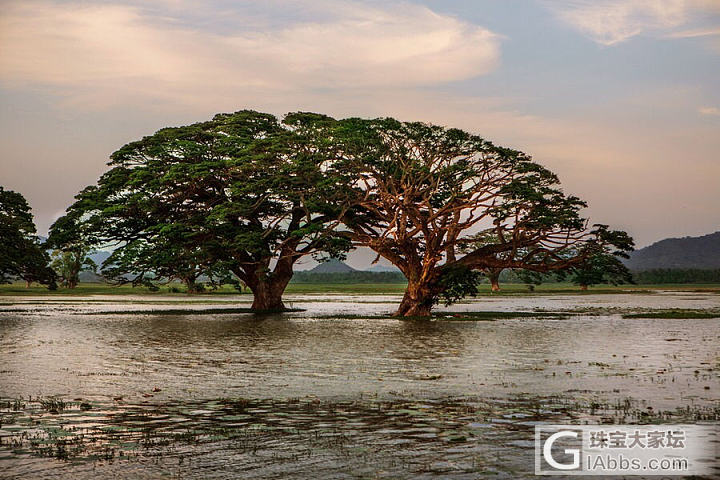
(688, 252)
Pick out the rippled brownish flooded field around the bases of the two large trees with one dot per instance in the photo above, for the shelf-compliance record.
(134, 387)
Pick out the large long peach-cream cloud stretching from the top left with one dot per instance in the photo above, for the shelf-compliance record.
(106, 53)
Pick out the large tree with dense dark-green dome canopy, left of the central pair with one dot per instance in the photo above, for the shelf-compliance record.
(242, 191)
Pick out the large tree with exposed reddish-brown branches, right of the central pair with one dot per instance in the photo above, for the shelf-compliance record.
(421, 189)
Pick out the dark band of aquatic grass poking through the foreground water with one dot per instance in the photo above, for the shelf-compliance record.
(411, 433)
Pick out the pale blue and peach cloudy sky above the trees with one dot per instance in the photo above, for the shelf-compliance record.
(620, 98)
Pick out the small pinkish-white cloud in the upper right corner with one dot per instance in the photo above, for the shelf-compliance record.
(609, 22)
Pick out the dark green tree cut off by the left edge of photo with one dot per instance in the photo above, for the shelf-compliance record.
(21, 253)
